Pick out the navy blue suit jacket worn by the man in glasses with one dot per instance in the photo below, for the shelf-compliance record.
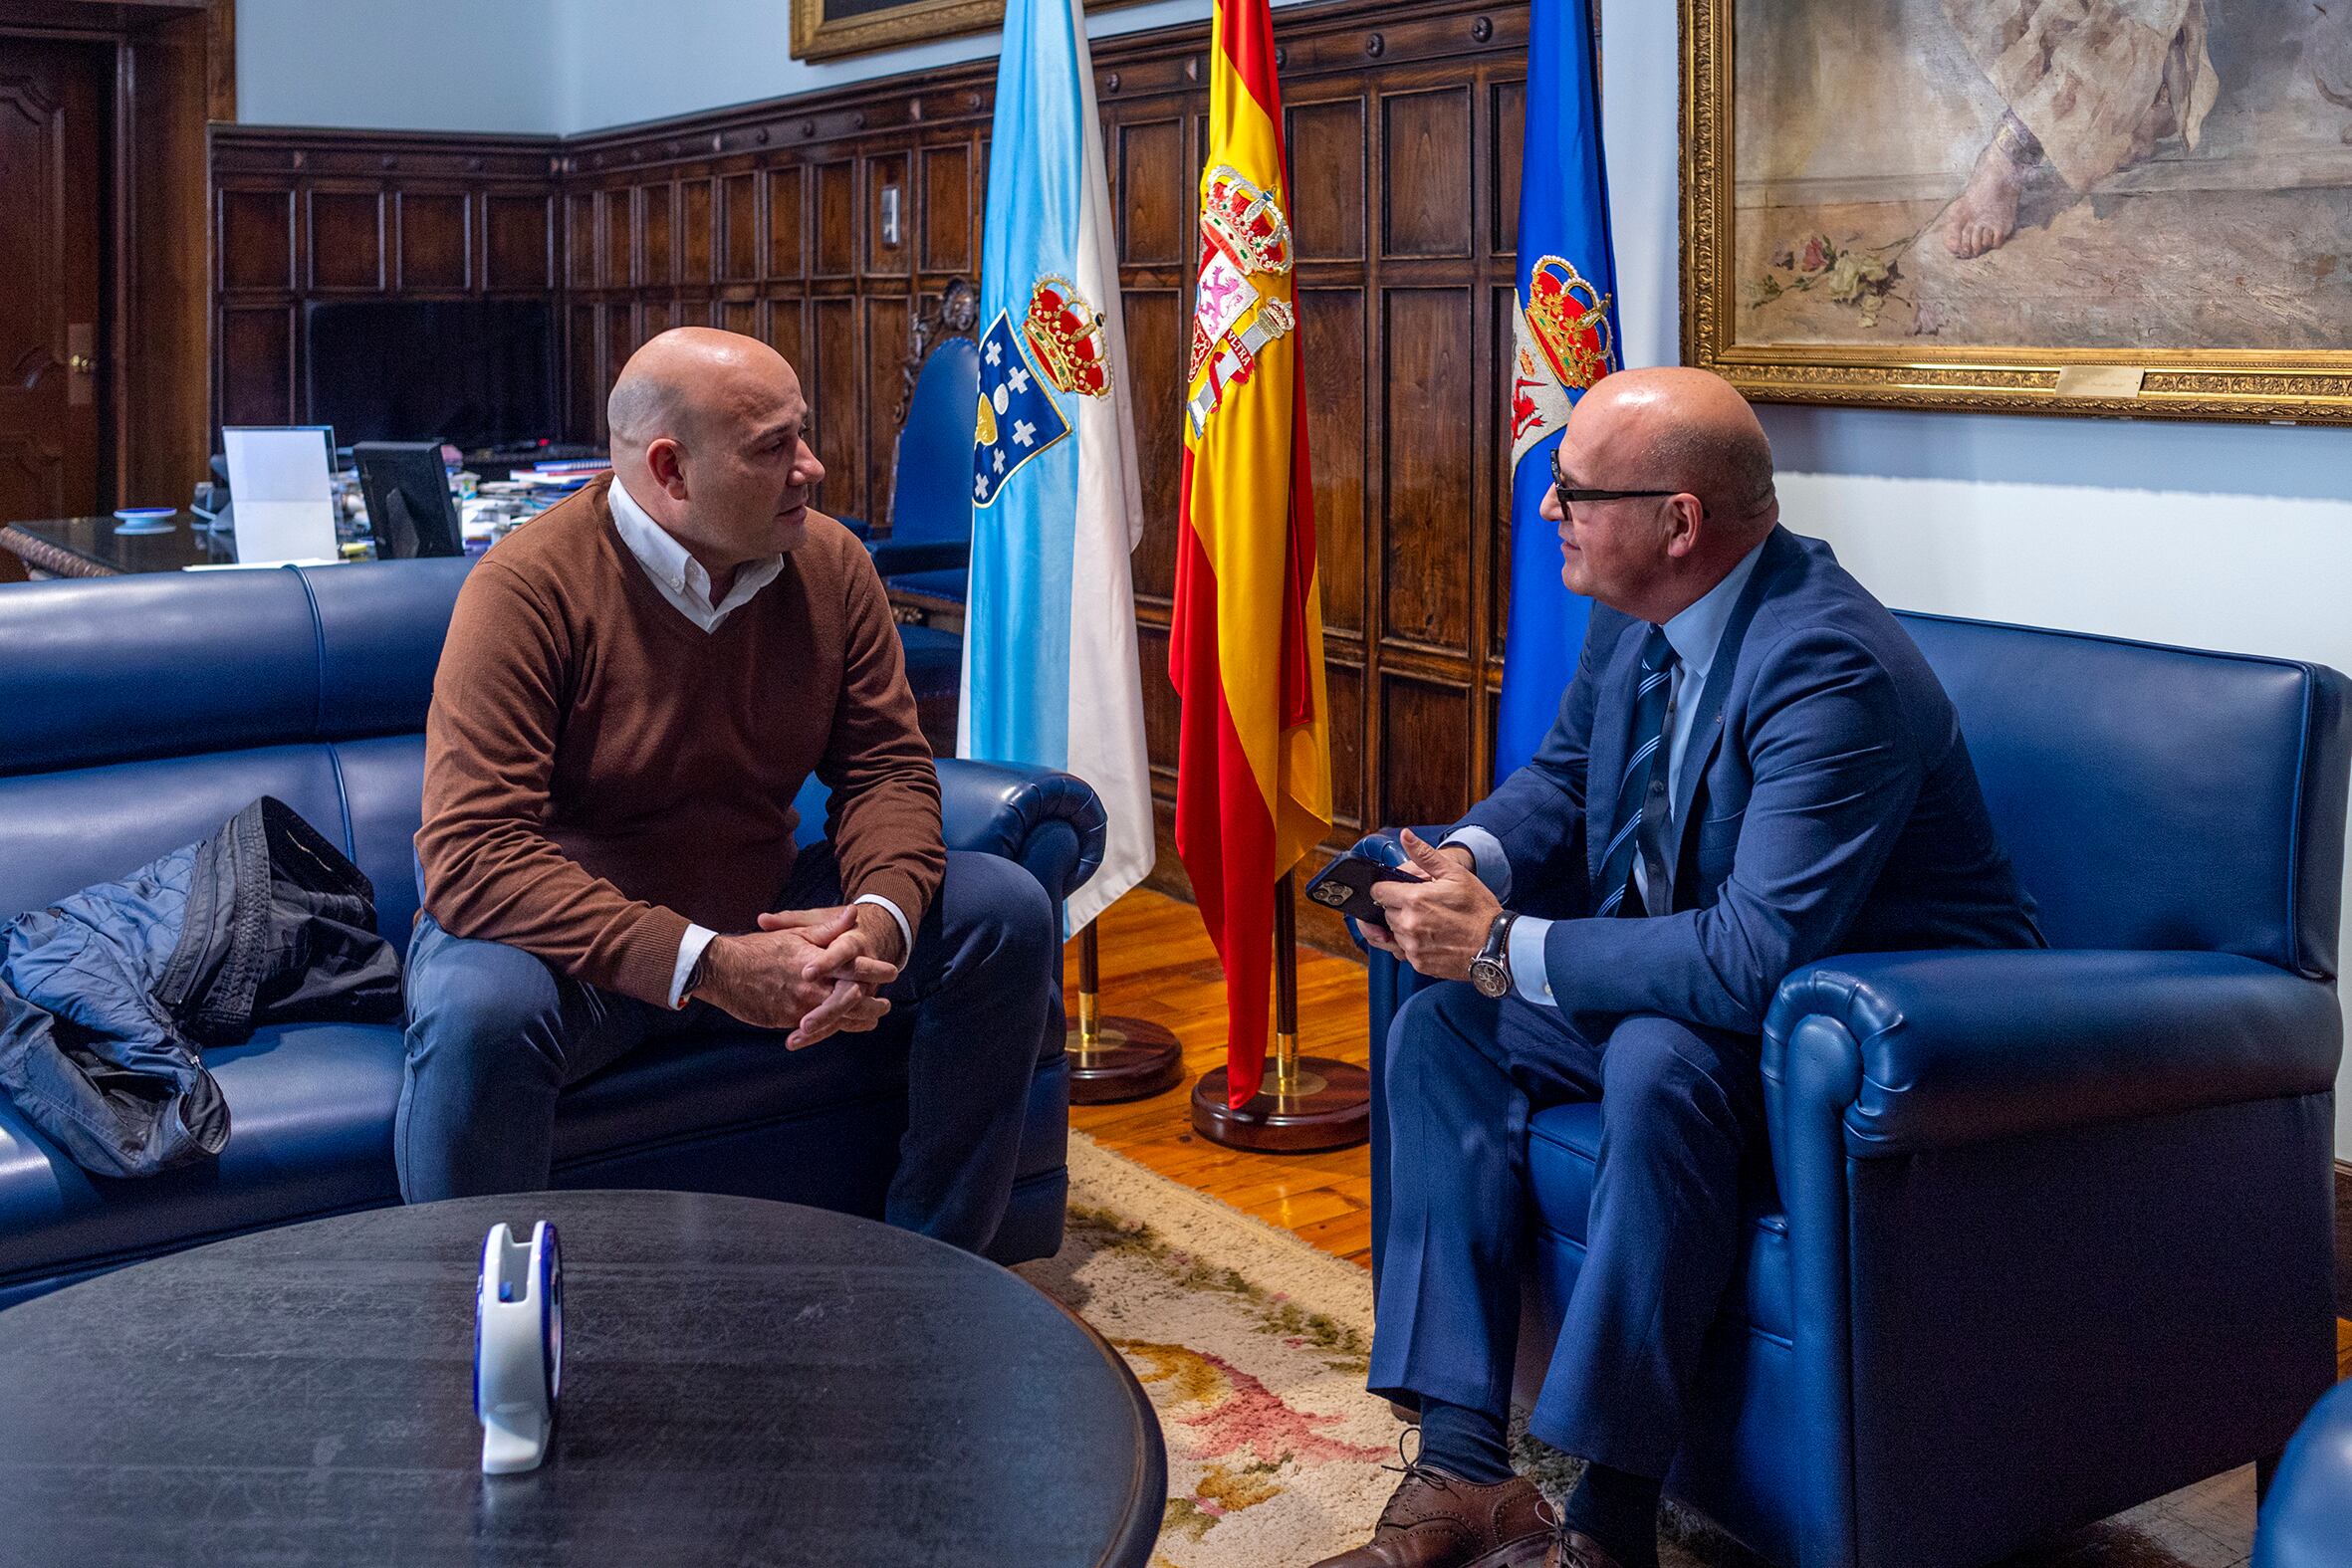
(1826, 805)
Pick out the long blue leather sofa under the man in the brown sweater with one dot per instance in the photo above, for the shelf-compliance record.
(145, 711)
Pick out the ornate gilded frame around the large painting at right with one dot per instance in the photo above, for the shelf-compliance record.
(2205, 384)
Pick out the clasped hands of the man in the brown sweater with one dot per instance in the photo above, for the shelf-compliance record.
(810, 972)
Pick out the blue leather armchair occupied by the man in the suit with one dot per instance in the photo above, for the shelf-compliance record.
(2045, 1233)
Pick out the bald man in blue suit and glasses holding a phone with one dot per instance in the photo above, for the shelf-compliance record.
(1753, 770)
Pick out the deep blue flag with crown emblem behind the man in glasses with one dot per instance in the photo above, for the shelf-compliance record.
(1563, 342)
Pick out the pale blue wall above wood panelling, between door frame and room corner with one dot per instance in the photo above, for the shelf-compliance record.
(408, 67)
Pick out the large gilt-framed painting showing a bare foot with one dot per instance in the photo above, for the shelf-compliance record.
(2022, 206)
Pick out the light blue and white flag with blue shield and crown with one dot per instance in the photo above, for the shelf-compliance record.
(1050, 631)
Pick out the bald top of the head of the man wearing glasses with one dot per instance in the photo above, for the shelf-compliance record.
(1688, 429)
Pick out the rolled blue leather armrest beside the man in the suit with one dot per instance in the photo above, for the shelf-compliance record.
(1977, 1045)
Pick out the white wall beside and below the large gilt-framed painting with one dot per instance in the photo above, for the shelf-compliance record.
(2224, 537)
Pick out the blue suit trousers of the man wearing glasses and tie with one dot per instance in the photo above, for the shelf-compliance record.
(1681, 1111)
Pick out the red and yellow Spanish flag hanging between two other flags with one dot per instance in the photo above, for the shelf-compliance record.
(1245, 652)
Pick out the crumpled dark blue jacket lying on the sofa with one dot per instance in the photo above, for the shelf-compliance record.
(109, 998)
